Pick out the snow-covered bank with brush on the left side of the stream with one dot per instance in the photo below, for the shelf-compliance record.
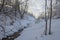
(5, 22)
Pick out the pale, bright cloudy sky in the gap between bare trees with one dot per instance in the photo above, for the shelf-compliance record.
(36, 6)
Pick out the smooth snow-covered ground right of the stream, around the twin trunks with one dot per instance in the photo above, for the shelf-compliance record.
(36, 31)
